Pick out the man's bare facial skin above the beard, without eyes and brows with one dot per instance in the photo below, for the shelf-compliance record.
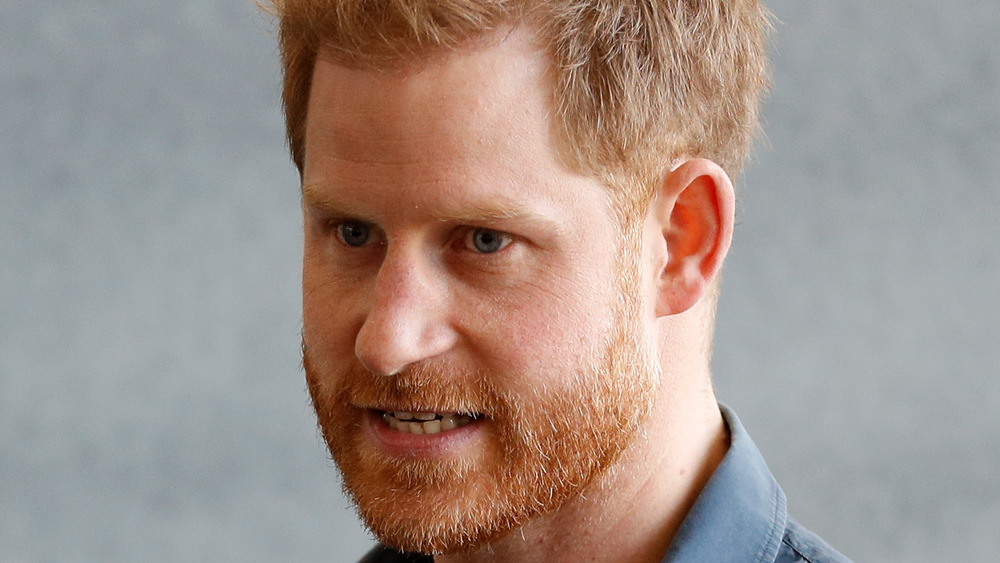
(451, 151)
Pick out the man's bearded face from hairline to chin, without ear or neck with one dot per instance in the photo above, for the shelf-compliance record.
(456, 271)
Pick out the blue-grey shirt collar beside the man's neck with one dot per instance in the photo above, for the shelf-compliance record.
(741, 513)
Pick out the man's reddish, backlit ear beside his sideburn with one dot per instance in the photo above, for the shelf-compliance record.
(692, 215)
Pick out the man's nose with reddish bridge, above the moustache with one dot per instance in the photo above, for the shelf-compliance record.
(407, 319)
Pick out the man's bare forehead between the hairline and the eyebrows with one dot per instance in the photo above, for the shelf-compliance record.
(468, 123)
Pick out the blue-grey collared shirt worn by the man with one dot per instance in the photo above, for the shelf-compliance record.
(740, 516)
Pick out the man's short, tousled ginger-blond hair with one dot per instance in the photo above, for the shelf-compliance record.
(638, 84)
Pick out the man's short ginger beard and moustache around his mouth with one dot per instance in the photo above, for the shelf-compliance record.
(540, 447)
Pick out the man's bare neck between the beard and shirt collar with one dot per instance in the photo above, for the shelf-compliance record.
(633, 512)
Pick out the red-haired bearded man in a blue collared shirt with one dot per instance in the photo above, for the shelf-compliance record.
(515, 218)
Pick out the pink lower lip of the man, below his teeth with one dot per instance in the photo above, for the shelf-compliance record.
(403, 444)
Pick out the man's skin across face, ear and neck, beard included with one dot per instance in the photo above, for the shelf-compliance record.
(582, 345)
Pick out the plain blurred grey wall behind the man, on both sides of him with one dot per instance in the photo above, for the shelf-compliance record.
(151, 402)
